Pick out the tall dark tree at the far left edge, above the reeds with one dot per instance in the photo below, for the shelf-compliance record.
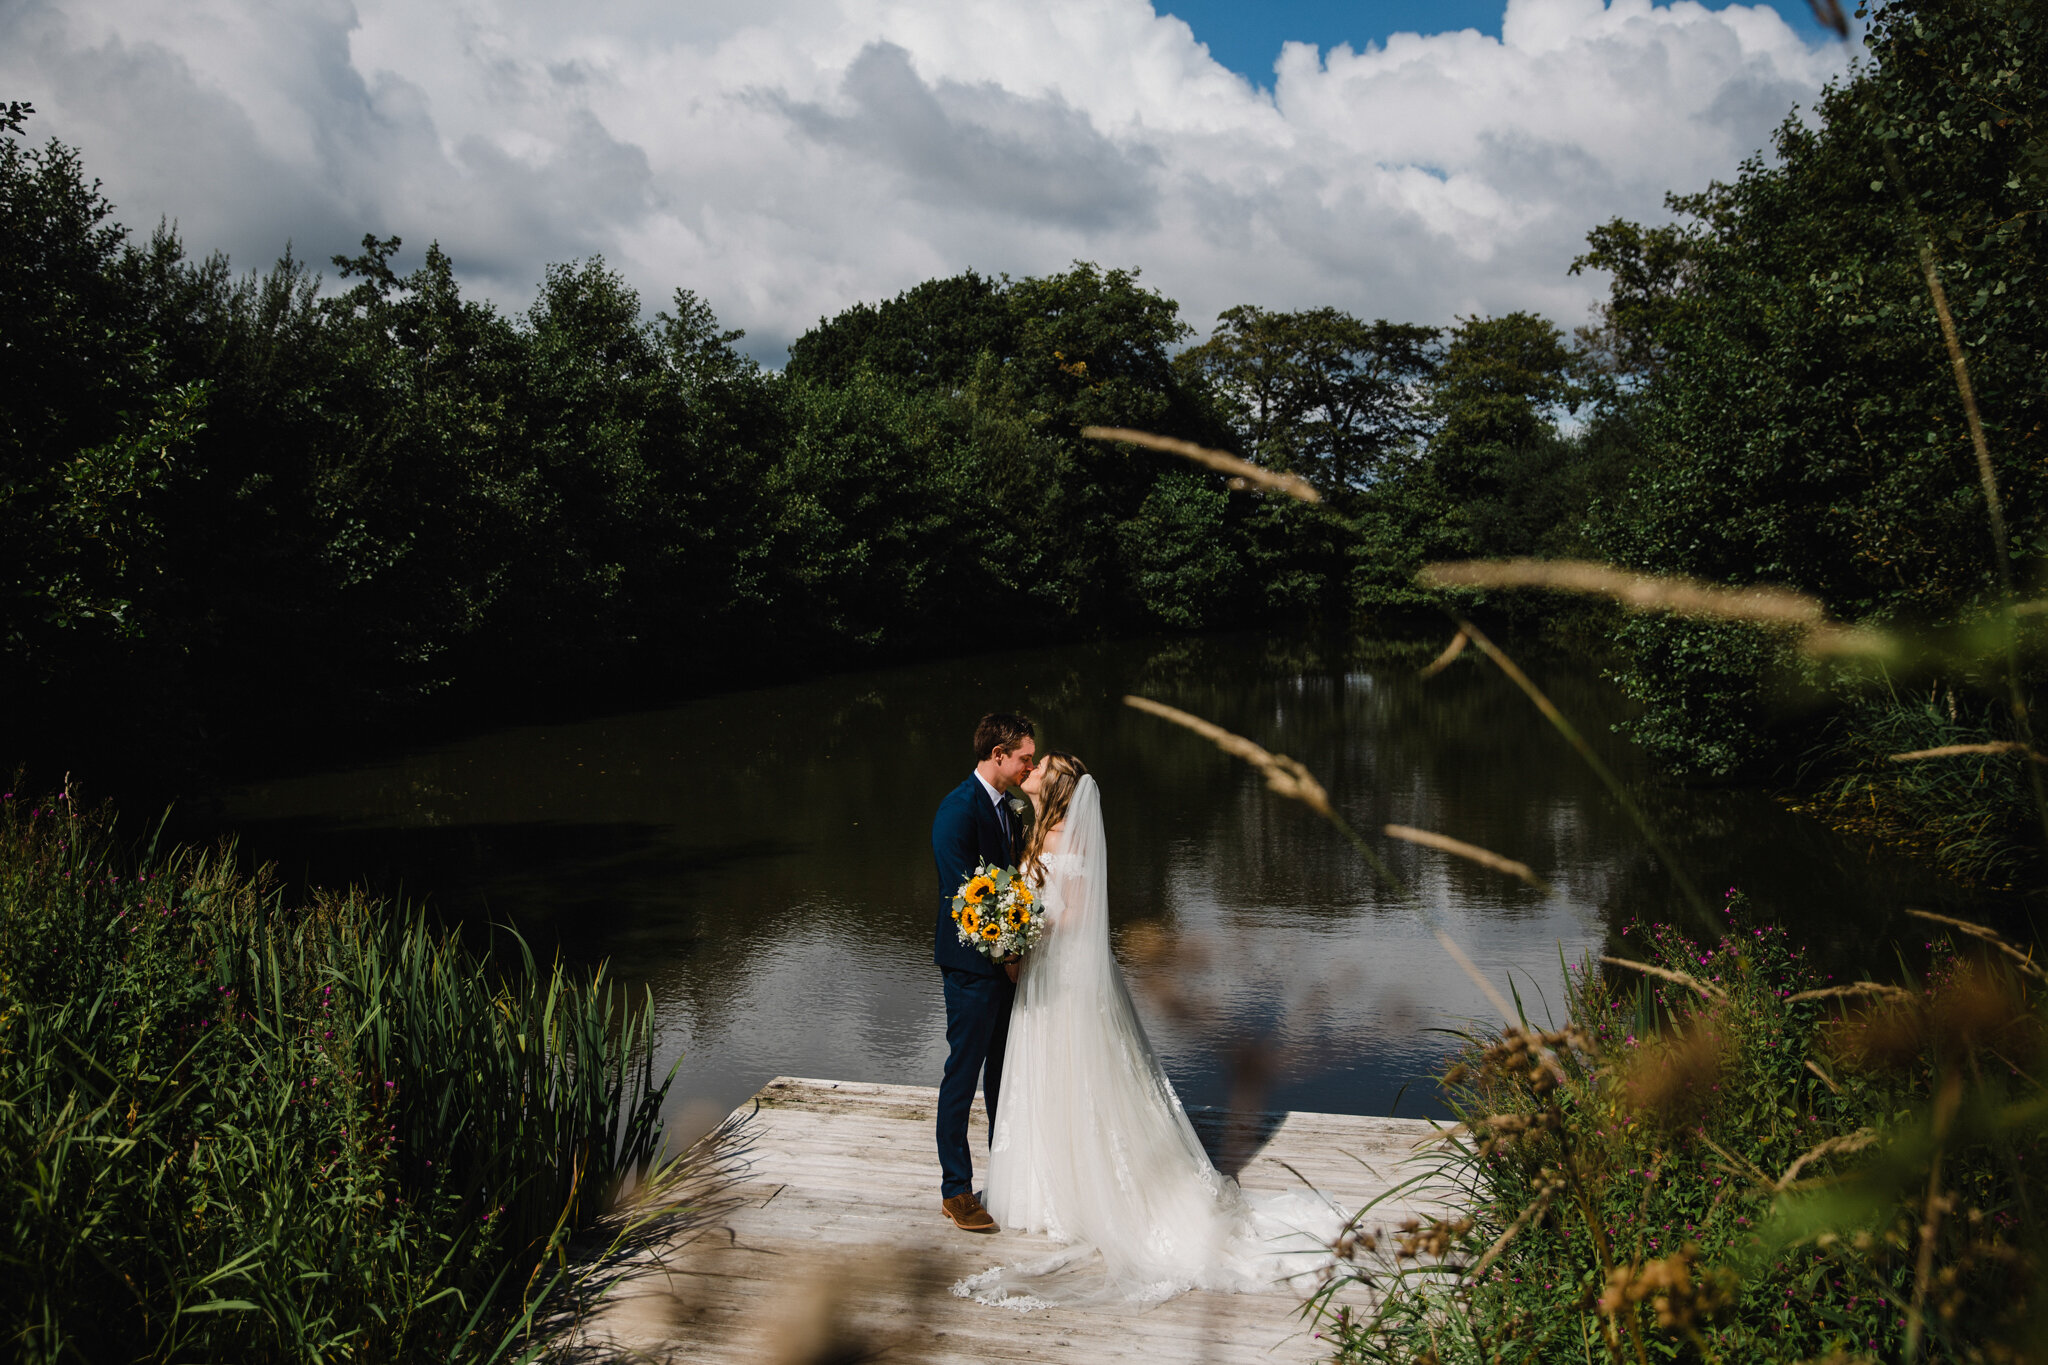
(95, 443)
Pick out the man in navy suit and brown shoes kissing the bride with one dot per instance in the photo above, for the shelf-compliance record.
(976, 824)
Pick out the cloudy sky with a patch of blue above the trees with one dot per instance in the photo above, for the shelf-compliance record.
(792, 157)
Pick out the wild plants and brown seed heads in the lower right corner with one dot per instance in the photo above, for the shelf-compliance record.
(1732, 1163)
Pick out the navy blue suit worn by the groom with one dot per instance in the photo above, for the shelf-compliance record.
(978, 992)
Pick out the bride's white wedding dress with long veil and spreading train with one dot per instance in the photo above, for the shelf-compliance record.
(1095, 1149)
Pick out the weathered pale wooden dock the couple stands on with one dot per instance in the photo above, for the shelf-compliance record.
(835, 1247)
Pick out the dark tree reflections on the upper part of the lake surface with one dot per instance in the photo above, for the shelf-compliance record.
(691, 842)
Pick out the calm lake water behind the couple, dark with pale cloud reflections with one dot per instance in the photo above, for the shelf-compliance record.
(763, 861)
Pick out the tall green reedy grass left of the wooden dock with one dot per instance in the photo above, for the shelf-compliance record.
(239, 1131)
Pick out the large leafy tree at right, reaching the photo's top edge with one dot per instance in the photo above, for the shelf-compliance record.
(1797, 414)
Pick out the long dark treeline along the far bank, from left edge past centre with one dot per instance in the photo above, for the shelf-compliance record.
(249, 509)
